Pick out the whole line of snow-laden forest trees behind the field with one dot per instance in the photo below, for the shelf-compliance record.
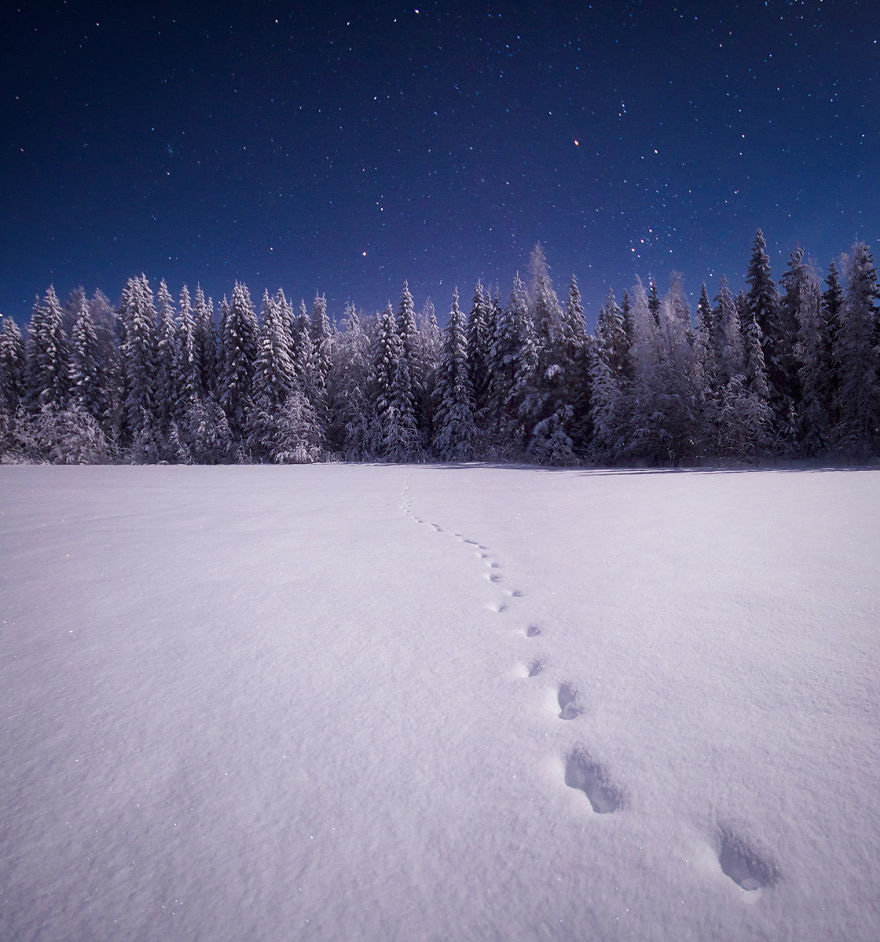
(788, 369)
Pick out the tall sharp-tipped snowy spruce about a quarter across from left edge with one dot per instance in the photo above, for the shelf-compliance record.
(240, 342)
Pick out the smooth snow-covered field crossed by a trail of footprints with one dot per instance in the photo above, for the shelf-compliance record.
(439, 703)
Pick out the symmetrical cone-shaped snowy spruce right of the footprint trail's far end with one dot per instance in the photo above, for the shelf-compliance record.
(455, 431)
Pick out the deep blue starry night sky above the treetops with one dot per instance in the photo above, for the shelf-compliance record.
(350, 147)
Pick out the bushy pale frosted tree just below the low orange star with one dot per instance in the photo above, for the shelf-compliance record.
(348, 385)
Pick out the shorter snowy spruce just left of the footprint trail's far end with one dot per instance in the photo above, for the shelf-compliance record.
(396, 436)
